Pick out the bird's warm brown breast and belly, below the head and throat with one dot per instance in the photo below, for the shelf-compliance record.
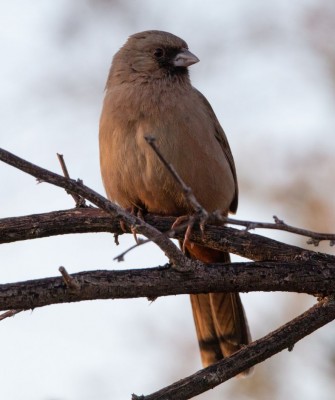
(133, 174)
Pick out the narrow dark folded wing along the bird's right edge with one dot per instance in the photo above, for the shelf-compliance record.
(222, 139)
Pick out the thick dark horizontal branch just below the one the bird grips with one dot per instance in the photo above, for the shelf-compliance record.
(308, 278)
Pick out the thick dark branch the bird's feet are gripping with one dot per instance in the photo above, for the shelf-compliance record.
(91, 219)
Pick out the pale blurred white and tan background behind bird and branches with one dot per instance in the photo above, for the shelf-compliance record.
(268, 69)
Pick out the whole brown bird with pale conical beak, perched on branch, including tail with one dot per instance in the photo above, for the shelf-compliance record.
(148, 92)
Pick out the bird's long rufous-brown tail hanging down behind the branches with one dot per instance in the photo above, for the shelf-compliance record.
(219, 318)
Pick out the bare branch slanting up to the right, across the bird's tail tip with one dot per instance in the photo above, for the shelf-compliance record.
(282, 338)
